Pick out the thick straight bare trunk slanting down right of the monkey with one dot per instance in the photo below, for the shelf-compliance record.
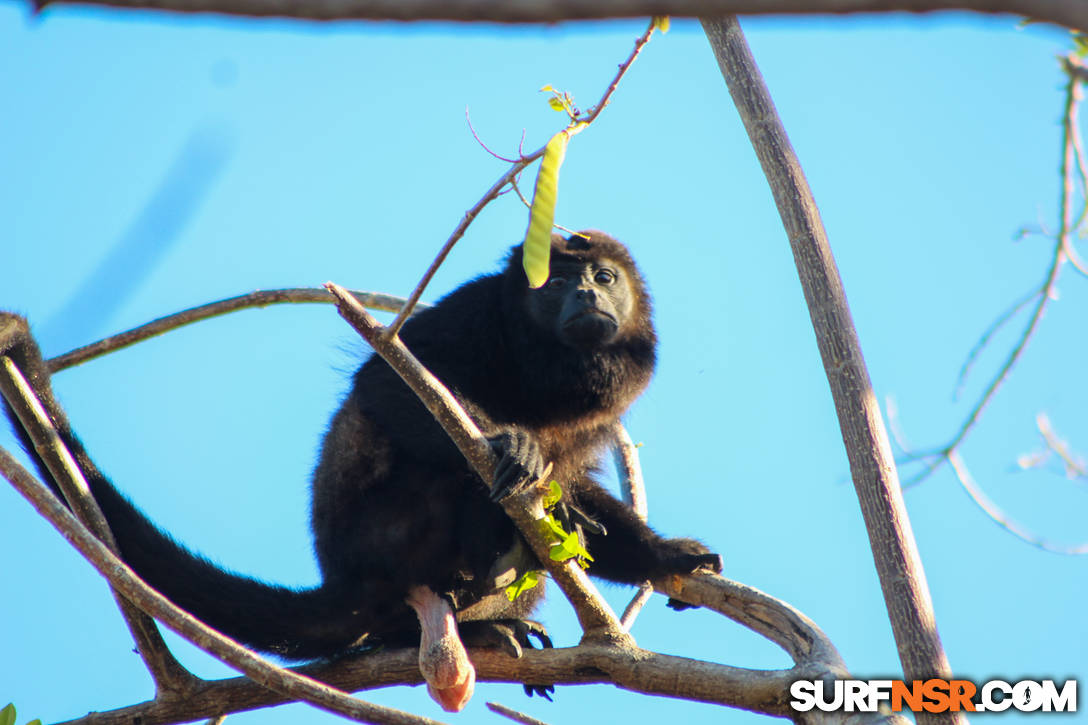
(876, 482)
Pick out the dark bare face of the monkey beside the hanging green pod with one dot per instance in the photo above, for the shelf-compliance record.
(584, 304)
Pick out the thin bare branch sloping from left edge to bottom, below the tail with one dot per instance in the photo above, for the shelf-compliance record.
(286, 682)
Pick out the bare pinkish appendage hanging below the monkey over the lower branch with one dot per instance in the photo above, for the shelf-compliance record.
(443, 661)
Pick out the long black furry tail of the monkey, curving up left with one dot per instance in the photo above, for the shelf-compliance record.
(294, 624)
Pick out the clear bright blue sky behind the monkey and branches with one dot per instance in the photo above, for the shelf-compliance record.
(153, 163)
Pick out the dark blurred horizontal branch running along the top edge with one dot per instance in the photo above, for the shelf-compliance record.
(1071, 14)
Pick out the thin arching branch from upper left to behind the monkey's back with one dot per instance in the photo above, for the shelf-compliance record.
(258, 299)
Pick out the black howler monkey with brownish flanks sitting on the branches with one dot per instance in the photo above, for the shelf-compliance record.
(397, 510)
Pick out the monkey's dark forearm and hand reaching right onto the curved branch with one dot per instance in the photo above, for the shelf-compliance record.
(630, 551)
